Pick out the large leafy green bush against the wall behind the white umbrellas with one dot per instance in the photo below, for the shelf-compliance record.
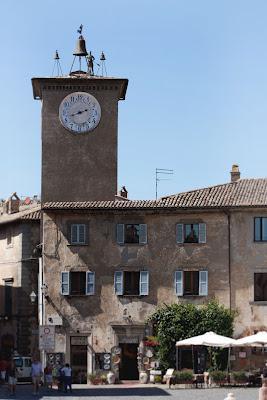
(180, 321)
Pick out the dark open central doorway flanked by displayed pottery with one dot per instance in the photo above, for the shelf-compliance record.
(128, 366)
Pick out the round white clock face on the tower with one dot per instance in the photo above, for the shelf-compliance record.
(79, 112)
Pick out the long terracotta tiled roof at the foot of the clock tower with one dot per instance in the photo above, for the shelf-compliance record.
(243, 193)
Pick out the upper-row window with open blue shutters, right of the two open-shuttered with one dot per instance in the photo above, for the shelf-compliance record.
(191, 233)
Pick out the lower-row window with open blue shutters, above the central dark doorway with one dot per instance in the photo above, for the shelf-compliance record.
(131, 283)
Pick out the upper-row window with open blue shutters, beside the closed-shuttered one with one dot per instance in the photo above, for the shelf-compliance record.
(131, 233)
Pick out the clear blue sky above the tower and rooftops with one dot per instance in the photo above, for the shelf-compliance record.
(197, 94)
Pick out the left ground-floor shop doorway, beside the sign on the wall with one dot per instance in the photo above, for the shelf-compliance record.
(78, 358)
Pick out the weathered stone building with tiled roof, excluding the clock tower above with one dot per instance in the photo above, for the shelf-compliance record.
(108, 265)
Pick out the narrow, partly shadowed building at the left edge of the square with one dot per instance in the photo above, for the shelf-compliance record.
(19, 236)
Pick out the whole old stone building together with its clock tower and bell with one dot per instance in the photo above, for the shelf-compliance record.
(109, 262)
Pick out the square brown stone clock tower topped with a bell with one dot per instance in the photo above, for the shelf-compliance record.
(79, 133)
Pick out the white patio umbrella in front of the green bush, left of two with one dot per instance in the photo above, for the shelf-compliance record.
(209, 339)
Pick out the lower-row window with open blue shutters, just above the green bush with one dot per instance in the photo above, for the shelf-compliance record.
(191, 283)
